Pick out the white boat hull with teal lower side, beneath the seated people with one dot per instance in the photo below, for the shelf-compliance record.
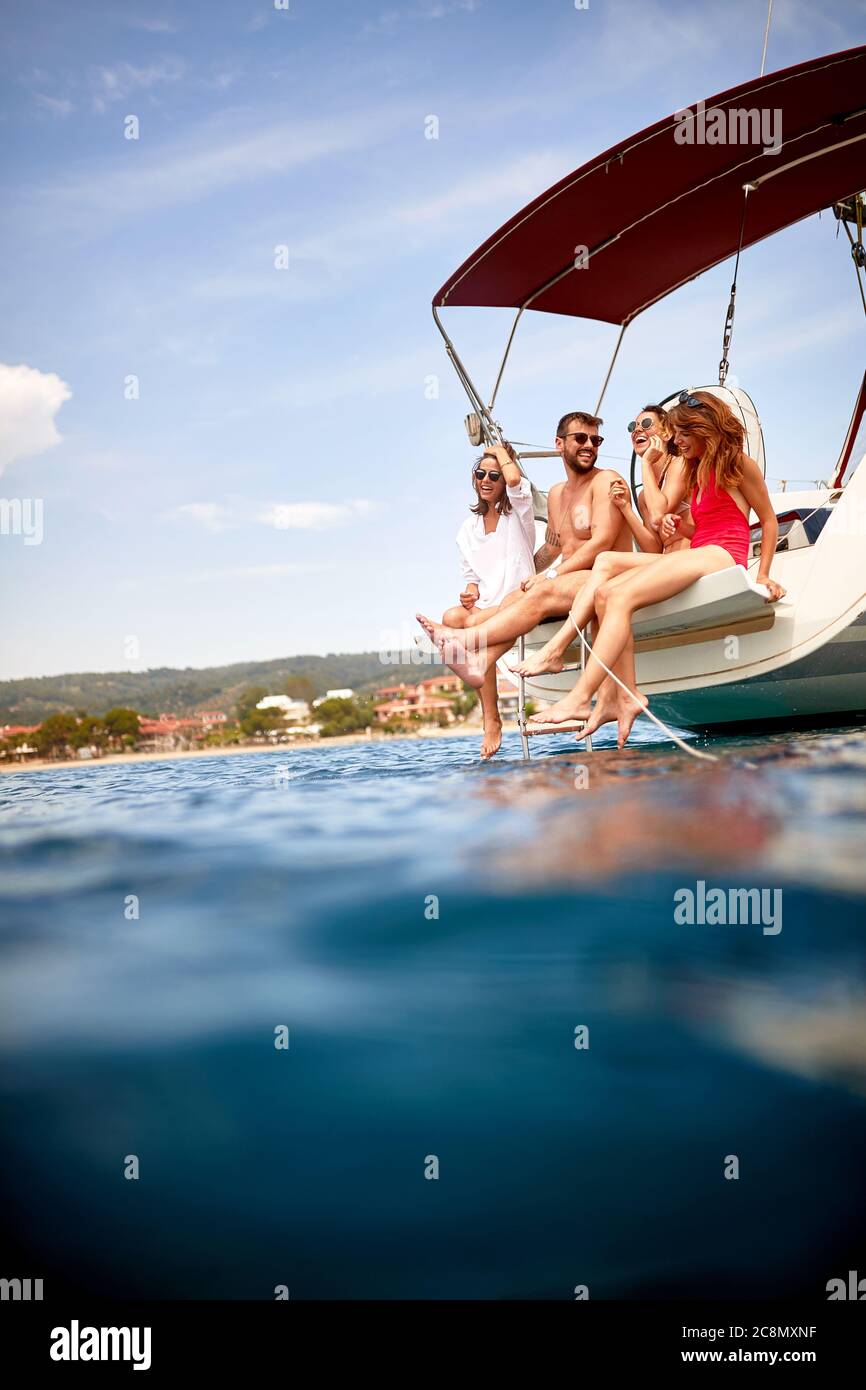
(718, 655)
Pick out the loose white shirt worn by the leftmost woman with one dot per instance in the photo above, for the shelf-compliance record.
(500, 561)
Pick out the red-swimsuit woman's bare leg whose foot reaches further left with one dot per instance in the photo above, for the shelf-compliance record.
(623, 598)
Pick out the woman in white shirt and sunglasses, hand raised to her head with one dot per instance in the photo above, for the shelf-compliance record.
(497, 548)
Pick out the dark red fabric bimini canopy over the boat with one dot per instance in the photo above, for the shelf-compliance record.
(660, 209)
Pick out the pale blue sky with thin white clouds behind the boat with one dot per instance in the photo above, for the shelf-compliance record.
(284, 483)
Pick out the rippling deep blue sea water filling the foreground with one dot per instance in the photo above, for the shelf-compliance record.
(433, 932)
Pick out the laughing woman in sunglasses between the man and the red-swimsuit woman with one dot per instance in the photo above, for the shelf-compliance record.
(662, 477)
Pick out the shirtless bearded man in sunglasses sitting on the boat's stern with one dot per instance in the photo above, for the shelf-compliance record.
(583, 521)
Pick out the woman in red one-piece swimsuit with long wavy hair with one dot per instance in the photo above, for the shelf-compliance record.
(724, 484)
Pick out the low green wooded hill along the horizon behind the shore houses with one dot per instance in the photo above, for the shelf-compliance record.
(184, 692)
